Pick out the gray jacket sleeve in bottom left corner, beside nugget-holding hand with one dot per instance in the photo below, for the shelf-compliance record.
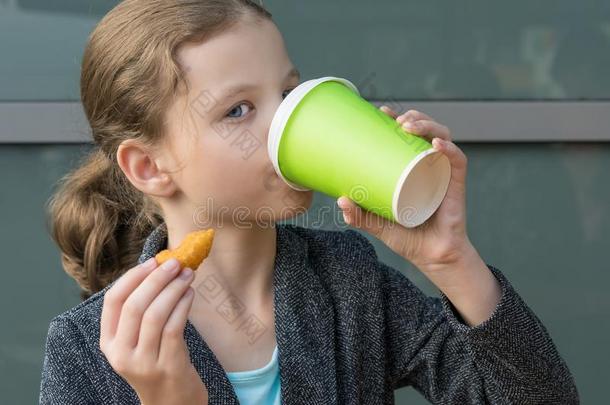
(65, 371)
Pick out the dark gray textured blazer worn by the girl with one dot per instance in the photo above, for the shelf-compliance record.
(349, 329)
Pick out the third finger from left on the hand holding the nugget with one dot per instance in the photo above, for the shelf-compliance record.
(156, 316)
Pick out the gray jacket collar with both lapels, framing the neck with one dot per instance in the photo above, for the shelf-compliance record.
(304, 327)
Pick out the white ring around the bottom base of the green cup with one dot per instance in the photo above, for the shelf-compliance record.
(438, 197)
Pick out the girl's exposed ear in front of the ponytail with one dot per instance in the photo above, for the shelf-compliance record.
(142, 170)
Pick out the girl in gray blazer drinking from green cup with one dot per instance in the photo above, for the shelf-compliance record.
(180, 95)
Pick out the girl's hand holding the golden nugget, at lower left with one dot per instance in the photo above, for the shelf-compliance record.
(142, 324)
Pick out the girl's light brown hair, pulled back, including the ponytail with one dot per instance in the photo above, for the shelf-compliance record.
(130, 74)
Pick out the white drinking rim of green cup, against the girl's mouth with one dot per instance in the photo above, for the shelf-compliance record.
(280, 119)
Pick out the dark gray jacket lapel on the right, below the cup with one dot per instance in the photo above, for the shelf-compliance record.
(304, 325)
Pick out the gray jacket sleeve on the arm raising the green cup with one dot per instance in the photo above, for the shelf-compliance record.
(508, 359)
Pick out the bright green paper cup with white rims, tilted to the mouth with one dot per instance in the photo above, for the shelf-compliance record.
(326, 137)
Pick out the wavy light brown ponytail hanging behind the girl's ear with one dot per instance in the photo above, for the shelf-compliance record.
(100, 222)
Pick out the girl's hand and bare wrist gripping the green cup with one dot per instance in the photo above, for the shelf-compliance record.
(439, 247)
